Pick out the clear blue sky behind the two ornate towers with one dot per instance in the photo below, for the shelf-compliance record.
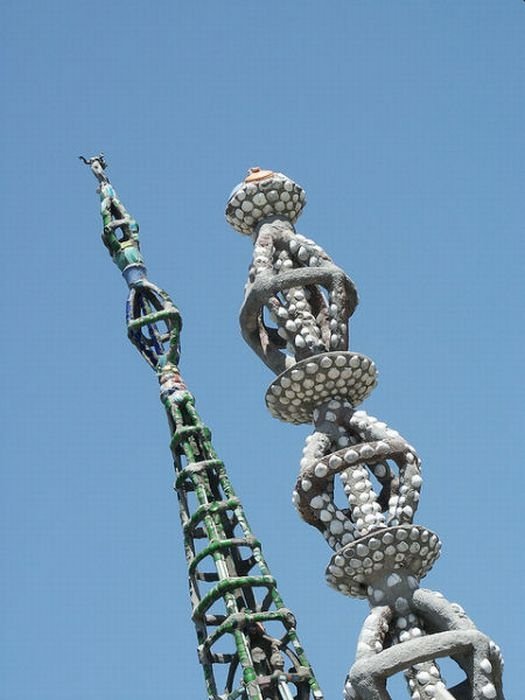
(404, 121)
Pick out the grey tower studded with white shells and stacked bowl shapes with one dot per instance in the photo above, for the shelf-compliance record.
(295, 317)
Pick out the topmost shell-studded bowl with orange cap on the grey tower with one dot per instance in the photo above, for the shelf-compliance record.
(262, 195)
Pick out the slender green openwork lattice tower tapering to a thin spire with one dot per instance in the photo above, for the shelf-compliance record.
(234, 598)
